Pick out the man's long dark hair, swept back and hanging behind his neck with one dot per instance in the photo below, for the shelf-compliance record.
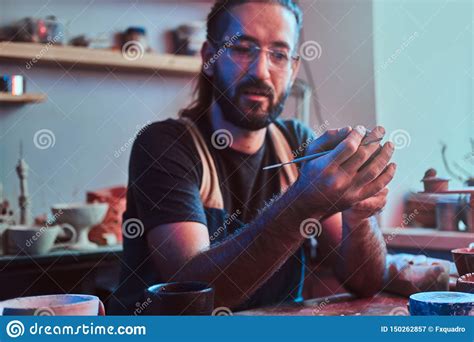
(204, 89)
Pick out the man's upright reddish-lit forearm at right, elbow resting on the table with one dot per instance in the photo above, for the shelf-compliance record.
(361, 264)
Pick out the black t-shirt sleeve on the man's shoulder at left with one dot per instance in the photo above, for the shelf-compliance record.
(164, 176)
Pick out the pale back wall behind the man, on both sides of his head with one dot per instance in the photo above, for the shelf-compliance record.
(93, 113)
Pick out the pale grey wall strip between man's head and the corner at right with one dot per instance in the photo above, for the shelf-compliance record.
(344, 72)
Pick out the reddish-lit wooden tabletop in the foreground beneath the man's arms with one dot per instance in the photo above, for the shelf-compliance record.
(345, 304)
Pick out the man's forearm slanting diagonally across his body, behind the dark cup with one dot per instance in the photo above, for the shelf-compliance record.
(241, 264)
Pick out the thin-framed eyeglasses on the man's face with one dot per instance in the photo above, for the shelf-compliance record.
(245, 55)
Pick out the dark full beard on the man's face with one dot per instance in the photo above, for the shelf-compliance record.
(253, 119)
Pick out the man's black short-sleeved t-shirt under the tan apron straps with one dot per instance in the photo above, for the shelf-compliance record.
(165, 174)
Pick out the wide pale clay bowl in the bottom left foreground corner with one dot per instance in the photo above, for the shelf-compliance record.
(53, 305)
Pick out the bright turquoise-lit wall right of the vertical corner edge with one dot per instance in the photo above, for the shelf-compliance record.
(424, 87)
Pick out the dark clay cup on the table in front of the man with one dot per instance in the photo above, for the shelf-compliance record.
(184, 298)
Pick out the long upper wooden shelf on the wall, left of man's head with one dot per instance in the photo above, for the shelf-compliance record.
(97, 58)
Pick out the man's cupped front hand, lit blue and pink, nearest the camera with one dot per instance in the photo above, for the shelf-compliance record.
(350, 174)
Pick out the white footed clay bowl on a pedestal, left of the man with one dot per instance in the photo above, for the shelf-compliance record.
(82, 217)
